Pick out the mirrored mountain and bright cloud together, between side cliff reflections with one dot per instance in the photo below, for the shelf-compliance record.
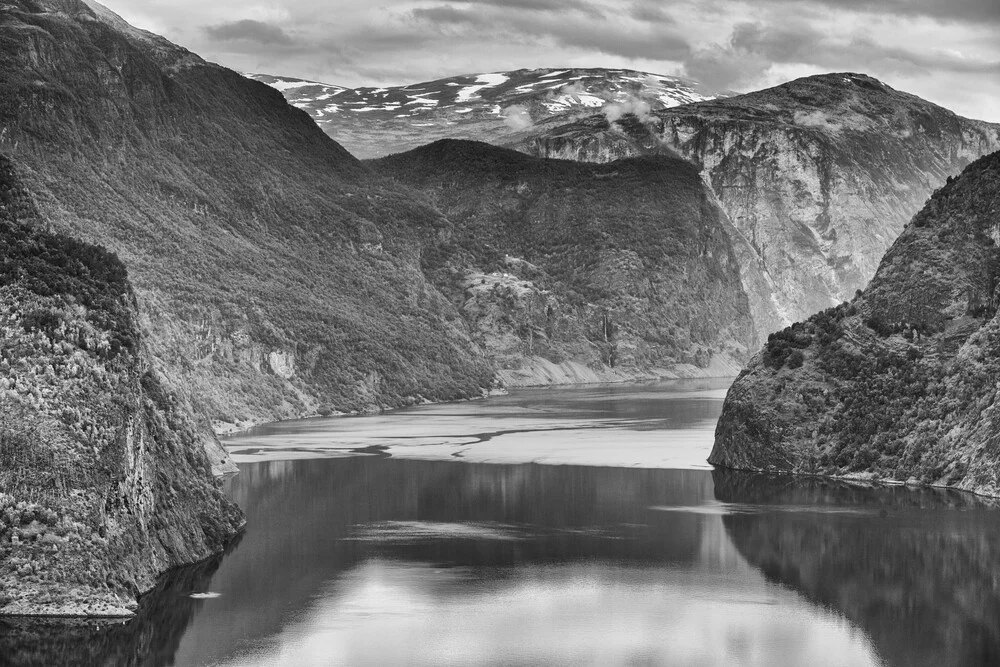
(382, 561)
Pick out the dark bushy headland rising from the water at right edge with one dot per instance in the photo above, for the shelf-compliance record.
(901, 383)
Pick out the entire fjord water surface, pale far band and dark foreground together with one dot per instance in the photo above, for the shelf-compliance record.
(432, 557)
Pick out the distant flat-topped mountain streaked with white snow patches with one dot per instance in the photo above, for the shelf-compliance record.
(494, 107)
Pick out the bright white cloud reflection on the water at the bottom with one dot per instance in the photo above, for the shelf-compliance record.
(397, 613)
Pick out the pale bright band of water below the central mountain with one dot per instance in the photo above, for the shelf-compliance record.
(659, 425)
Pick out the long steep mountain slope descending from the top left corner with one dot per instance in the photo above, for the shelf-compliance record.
(276, 274)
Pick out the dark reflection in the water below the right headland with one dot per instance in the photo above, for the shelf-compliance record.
(917, 570)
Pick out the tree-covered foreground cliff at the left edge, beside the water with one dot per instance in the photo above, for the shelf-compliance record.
(104, 480)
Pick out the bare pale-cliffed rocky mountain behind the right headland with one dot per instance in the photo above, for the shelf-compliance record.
(818, 175)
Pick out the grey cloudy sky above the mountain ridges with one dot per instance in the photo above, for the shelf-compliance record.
(947, 51)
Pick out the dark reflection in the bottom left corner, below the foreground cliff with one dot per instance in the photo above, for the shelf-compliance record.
(151, 638)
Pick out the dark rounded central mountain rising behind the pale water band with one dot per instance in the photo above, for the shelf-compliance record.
(567, 269)
